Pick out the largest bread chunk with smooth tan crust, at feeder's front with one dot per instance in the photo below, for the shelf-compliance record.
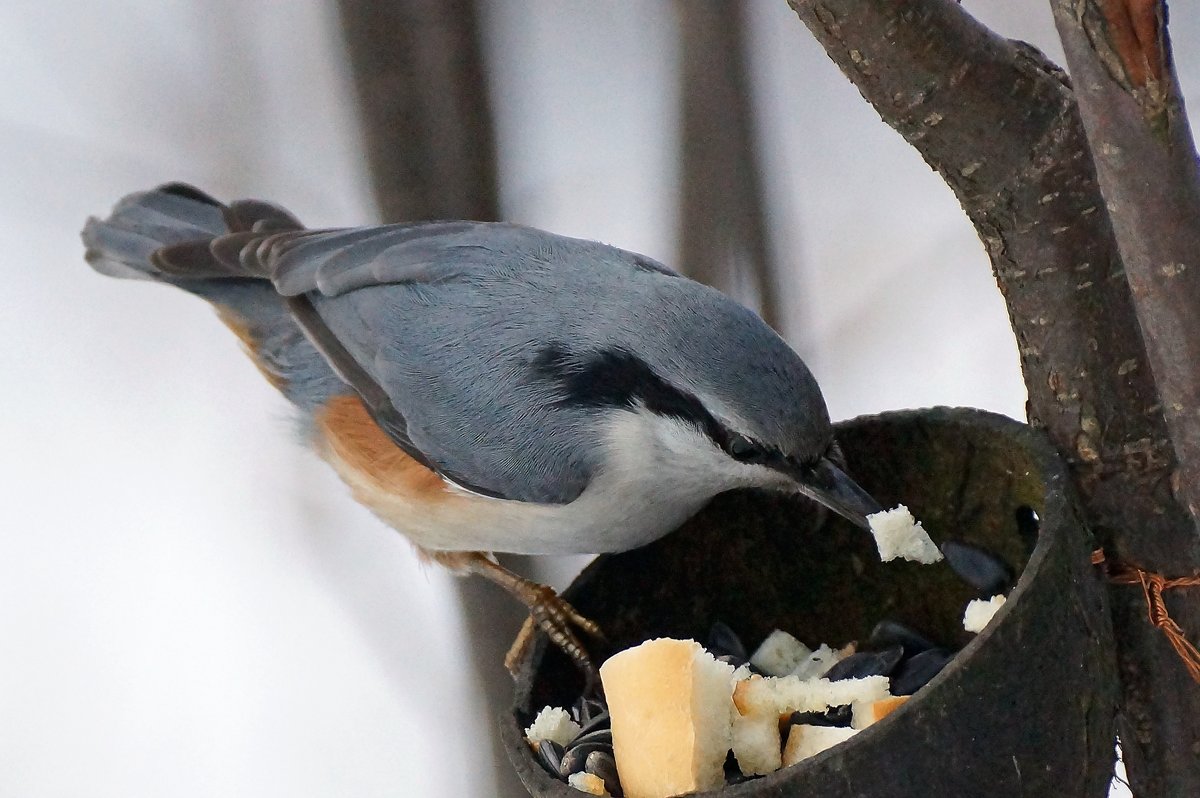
(669, 701)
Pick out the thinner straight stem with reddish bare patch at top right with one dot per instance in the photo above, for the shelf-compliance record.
(1130, 100)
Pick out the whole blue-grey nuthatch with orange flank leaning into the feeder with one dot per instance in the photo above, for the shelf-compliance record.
(493, 388)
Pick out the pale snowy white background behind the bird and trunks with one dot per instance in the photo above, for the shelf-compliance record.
(190, 604)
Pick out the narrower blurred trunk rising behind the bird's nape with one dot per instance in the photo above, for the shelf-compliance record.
(724, 236)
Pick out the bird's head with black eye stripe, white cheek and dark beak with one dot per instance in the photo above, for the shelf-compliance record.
(713, 394)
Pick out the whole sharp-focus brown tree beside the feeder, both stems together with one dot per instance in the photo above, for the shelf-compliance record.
(1089, 263)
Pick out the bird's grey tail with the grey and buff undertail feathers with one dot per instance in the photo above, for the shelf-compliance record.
(179, 236)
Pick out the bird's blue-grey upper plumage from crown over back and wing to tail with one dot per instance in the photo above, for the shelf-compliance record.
(505, 349)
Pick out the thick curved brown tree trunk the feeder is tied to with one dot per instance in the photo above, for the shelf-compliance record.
(1001, 125)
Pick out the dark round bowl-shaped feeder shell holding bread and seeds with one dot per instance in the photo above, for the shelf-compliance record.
(1025, 707)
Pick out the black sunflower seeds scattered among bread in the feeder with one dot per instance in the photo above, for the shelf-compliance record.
(907, 657)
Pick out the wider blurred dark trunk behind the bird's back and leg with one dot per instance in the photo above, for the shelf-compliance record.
(428, 128)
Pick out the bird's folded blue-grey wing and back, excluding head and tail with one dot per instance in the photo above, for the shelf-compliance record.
(448, 321)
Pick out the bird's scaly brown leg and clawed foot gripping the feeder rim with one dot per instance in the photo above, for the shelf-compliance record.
(548, 611)
